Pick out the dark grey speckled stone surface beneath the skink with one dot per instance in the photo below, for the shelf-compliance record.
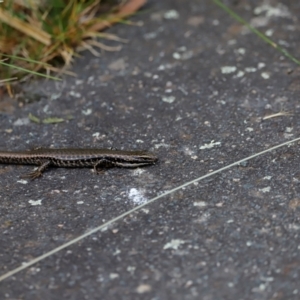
(189, 76)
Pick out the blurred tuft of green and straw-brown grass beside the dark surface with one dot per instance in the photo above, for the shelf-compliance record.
(44, 35)
